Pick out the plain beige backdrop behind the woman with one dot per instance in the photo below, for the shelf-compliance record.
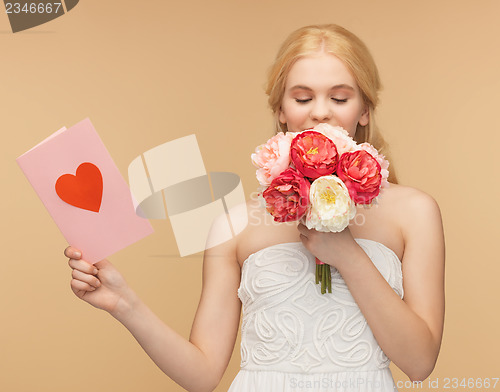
(146, 72)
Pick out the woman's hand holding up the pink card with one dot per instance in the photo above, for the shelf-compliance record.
(101, 285)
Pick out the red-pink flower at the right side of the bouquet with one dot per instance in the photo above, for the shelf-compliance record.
(360, 172)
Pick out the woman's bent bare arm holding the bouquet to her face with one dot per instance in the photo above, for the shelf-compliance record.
(409, 331)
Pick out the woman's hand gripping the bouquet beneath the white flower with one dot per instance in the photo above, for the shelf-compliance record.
(330, 248)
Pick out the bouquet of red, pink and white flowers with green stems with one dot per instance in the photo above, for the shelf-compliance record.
(318, 176)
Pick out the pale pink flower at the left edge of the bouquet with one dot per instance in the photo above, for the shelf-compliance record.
(272, 157)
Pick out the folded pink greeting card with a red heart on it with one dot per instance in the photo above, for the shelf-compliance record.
(84, 192)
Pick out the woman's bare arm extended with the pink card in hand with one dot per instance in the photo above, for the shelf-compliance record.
(197, 364)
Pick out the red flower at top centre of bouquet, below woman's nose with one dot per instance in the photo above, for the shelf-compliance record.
(313, 154)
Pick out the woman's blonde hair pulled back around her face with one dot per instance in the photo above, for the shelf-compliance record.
(354, 54)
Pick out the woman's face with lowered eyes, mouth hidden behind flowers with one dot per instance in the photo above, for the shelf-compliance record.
(320, 89)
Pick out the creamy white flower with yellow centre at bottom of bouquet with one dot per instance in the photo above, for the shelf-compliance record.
(331, 207)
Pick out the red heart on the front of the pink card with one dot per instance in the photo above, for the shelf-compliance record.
(83, 190)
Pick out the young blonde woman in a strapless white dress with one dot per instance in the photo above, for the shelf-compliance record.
(387, 300)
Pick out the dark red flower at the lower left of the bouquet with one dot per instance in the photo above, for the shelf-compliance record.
(287, 197)
